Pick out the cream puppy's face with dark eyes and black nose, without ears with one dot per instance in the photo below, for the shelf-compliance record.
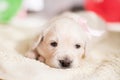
(63, 45)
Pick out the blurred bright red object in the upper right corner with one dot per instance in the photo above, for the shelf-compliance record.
(108, 9)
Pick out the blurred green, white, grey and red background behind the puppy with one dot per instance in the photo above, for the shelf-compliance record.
(34, 13)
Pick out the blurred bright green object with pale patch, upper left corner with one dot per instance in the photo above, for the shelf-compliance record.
(8, 8)
